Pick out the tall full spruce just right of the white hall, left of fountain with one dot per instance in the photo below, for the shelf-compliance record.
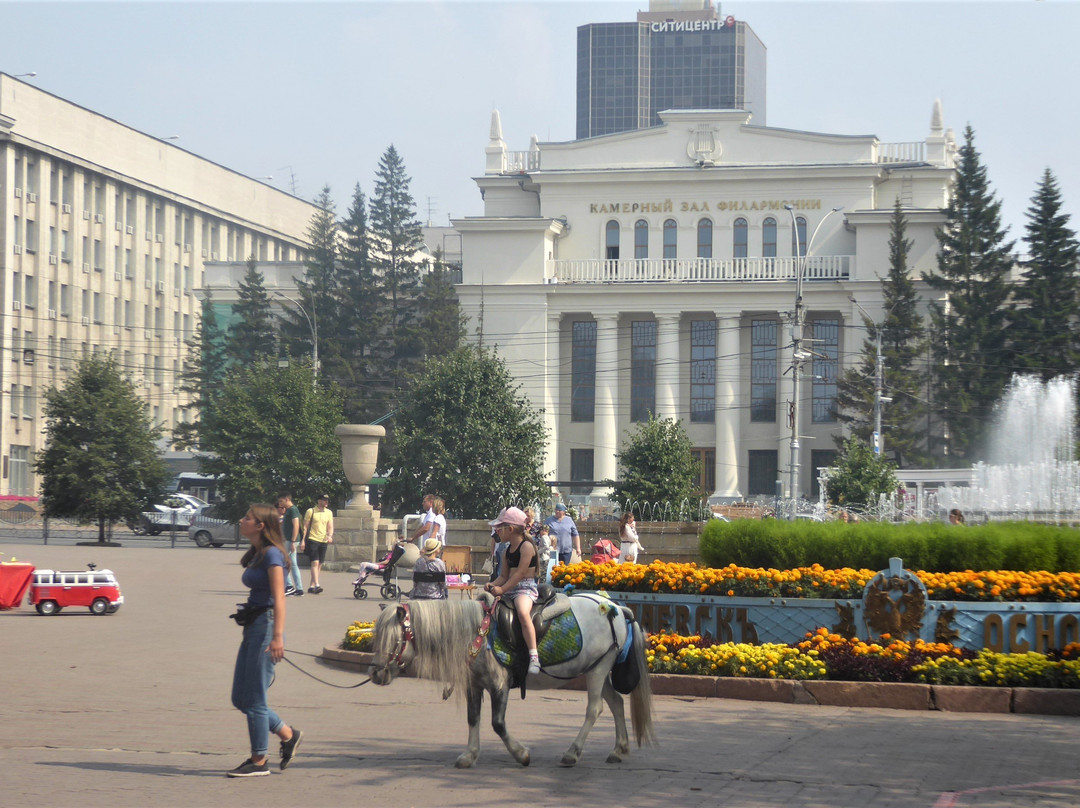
(971, 362)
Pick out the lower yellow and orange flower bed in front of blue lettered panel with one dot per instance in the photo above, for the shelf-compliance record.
(826, 656)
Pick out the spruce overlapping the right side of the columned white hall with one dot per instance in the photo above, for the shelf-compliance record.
(903, 349)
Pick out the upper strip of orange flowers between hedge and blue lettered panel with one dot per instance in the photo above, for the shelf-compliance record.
(813, 582)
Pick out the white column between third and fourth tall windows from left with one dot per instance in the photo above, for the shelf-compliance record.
(730, 373)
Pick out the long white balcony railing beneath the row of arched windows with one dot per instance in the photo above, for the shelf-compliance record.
(688, 271)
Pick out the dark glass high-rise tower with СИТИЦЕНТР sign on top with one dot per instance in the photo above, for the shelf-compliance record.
(680, 55)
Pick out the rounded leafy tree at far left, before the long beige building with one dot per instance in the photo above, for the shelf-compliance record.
(101, 462)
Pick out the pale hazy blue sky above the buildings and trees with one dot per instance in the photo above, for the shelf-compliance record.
(317, 91)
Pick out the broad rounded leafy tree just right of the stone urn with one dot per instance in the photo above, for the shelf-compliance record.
(467, 435)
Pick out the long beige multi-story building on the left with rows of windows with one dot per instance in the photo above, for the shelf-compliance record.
(104, 232)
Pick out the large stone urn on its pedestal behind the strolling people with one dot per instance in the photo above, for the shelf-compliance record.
(360, 532)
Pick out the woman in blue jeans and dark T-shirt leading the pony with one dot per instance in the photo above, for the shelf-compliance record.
(264, 644)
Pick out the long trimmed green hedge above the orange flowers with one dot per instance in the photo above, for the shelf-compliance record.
(931, 546)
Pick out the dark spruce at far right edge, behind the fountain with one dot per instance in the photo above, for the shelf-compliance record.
(1046, 338)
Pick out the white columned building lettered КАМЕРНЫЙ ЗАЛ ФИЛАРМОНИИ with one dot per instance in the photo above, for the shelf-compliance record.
(655, 272)
